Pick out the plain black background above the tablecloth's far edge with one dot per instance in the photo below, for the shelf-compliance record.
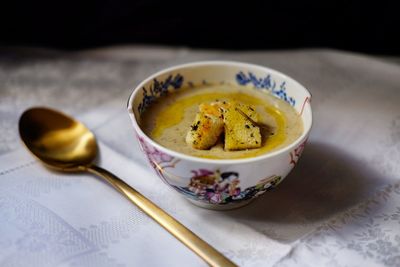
(362, 26)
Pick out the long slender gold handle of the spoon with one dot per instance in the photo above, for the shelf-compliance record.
(209, 254)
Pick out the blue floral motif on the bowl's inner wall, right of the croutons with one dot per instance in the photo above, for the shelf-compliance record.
(265, 83)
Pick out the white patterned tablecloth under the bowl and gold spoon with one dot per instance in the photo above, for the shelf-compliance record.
(339, 207)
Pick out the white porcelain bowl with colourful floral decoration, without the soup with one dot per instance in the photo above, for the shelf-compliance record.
(220, 183)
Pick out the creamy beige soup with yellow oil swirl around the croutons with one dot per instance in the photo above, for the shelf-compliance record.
(168, 120)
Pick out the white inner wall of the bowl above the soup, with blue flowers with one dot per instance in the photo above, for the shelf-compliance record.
(242, 75)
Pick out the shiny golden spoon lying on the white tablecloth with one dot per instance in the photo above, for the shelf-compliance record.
(65, 144)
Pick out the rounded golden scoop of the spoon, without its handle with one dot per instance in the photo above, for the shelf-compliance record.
(56, 139)
